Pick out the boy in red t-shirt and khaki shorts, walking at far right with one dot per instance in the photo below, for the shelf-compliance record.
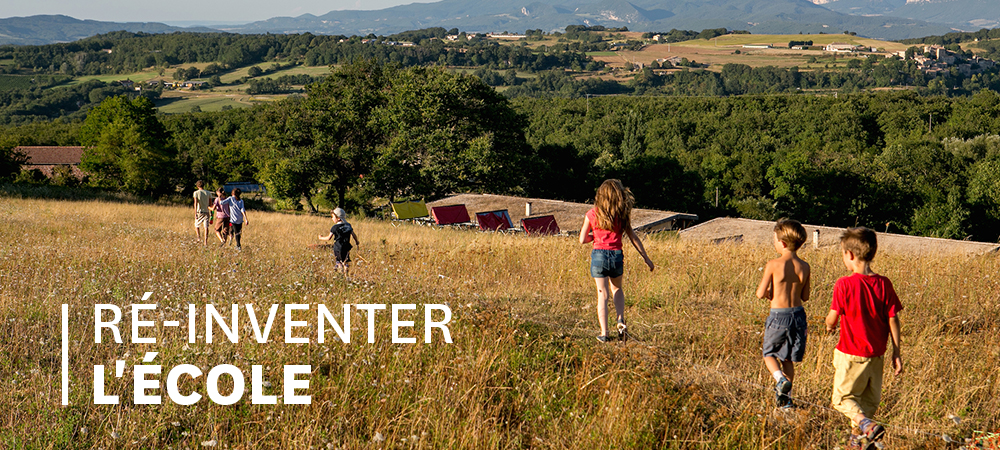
(868, 305)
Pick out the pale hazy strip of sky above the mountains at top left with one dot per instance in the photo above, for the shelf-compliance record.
(187, 10)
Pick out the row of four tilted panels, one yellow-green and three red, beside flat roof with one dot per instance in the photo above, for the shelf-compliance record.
(458, 215)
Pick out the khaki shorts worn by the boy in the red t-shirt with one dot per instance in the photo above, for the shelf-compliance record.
(857, 384)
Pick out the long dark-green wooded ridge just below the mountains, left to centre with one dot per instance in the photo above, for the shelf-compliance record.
(125, 52)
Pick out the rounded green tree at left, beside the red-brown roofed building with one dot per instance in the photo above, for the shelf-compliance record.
(125, 147)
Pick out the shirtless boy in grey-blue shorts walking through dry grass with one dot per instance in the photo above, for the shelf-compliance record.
(786, 284)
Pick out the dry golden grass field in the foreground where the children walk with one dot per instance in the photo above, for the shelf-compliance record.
(524, 369)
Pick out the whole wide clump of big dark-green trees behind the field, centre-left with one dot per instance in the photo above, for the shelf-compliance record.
(377, 130)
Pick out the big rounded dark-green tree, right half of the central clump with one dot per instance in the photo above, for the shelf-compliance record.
(446, 133)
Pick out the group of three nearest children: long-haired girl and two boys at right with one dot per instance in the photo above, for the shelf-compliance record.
(864, 304)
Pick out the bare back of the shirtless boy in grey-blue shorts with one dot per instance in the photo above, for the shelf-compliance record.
(785, 281)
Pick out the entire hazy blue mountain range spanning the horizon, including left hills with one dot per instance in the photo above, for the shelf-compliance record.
(885, 19)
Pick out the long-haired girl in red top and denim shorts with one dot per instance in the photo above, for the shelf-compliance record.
(605, 225)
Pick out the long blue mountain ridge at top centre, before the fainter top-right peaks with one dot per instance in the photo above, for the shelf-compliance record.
(756, 16)
